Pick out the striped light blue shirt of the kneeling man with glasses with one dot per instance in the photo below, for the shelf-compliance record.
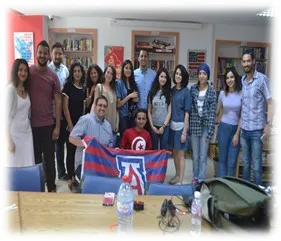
(91, 125)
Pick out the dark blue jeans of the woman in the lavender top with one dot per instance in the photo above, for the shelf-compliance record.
(228, 153)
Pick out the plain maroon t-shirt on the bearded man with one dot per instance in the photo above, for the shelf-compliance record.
(43, 86)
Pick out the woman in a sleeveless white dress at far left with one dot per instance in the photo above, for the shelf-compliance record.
(20, 141)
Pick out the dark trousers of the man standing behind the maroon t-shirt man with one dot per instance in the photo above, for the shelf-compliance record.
(60, 148)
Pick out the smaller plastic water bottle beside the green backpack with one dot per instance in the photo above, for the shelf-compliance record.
(196, 212)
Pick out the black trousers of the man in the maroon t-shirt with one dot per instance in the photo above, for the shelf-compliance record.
(44, 148)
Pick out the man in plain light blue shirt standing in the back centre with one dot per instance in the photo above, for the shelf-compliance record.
(144, 77)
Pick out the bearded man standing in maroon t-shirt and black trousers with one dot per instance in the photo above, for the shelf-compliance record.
(44, 92)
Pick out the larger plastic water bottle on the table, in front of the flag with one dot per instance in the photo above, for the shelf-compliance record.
(125, 203)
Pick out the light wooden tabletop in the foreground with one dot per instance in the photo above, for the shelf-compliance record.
(68, 212)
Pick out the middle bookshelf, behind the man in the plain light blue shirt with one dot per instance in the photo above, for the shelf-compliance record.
(161, 46)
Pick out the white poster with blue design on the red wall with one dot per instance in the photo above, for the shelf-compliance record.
(24, 46)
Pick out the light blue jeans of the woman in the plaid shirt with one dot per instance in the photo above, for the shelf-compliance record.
(199, 152)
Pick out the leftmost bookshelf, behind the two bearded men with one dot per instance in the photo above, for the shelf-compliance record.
(79, 44)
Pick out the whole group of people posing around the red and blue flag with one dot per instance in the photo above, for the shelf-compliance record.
(50, 106)
